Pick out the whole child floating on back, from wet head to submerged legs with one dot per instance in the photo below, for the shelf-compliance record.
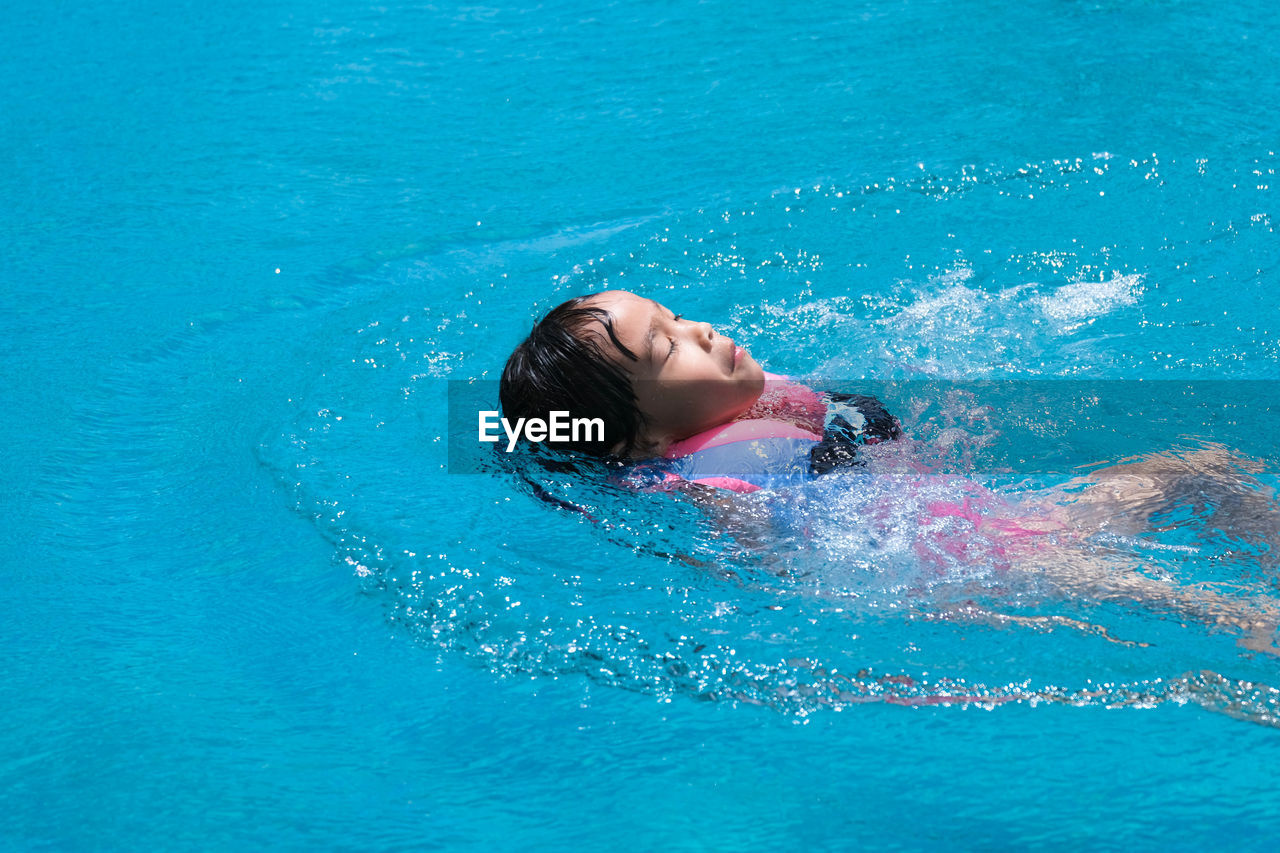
(691, 409)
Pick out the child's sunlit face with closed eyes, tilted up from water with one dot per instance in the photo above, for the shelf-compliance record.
(688, 378)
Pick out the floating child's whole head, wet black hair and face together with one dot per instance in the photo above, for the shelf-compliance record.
(651, 376)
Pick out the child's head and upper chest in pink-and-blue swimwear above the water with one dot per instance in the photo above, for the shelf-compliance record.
(668, 387)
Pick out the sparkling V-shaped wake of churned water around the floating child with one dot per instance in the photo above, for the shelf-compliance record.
(826, 599)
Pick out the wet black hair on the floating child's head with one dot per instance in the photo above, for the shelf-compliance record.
(563, 367)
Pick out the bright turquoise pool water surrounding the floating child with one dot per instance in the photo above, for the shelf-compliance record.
(250, 247)
